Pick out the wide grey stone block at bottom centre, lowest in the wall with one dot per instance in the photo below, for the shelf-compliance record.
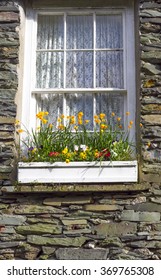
(81, 254)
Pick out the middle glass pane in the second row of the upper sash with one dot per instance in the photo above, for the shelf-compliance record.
(79, 70)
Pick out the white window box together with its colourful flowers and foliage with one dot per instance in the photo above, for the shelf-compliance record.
(69, 152)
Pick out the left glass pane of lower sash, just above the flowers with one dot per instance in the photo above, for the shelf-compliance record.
(52, 103)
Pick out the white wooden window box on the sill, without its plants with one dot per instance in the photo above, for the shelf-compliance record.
(78, 172)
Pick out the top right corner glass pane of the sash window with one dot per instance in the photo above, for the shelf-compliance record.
(109, 31)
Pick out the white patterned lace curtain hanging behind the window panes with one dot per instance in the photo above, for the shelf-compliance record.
(80, 51)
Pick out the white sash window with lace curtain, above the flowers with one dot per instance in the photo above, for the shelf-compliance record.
(79, 60)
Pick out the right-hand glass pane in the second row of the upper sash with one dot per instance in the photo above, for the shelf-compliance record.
(109, 69)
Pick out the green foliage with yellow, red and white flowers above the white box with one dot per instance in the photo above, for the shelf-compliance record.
(72, 141)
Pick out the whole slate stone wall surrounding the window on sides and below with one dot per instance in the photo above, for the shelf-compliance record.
(82, 222)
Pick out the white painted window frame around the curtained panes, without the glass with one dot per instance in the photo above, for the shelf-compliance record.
(29, 101)
